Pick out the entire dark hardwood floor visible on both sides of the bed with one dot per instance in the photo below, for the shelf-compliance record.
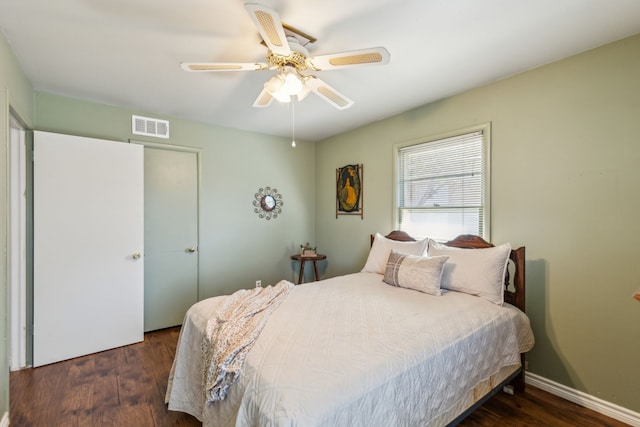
(126, 387)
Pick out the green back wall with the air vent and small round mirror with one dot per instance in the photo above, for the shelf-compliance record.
(236, 247)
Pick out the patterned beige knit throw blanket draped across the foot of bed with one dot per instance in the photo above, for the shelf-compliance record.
(231, 332)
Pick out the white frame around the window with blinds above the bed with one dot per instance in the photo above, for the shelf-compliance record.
(486, 190)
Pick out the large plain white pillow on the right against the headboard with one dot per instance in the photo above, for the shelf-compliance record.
(474, 271)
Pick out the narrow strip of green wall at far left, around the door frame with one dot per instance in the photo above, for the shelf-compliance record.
(16, 93)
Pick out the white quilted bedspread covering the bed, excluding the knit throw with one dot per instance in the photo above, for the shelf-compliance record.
(354, 351)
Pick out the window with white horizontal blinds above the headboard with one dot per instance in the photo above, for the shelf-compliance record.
(442, 187)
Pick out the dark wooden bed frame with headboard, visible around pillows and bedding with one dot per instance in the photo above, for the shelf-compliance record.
(514, 290)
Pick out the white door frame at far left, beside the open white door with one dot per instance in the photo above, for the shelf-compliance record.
(17, 263)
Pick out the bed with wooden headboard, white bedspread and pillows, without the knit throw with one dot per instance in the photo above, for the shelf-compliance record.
(381, 347)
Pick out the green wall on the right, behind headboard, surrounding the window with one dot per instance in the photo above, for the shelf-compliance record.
(565, 184)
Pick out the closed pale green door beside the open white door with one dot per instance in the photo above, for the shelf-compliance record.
(171, 233)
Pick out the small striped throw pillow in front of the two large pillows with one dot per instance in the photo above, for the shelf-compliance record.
(415, 272)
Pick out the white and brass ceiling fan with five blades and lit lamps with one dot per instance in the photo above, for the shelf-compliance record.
(287, 54)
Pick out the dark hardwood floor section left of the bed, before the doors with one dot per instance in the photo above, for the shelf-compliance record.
(120, 387)
